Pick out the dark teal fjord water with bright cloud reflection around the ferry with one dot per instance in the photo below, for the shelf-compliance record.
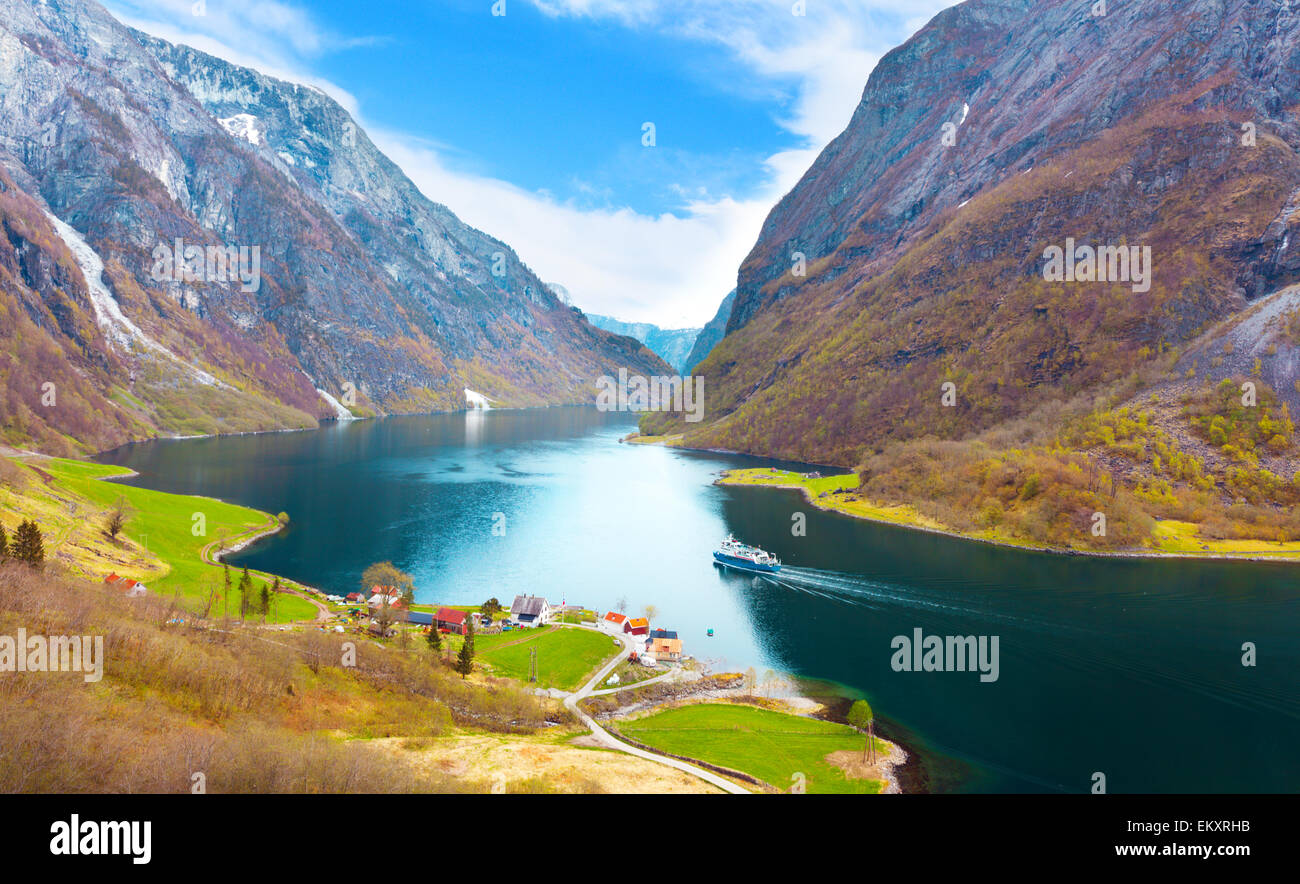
(1126, 668)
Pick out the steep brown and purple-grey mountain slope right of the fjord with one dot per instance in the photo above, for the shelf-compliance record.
(916, 253)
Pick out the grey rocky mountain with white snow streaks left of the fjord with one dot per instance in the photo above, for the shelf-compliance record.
(313, 272)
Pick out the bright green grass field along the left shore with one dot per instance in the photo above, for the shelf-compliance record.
(166, 526)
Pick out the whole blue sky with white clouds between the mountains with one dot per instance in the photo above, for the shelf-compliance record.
(530, 125)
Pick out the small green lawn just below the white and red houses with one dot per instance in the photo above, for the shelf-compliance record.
(566, 658)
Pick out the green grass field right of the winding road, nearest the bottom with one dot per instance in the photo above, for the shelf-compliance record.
(774, 747)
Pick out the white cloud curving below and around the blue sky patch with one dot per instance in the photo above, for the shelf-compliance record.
(671, 270)
